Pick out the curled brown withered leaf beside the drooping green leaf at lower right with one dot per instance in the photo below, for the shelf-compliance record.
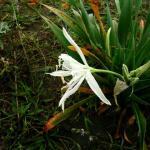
(130, 122)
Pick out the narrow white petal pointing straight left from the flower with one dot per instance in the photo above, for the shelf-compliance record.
(60, 73)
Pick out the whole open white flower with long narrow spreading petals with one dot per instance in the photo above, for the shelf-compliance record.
(79, 72)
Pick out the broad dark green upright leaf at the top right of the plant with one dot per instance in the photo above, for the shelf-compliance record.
(125, 22)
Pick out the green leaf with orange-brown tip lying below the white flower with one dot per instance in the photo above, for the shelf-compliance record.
(64, 115)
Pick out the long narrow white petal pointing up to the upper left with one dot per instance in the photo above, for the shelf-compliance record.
(69, 38)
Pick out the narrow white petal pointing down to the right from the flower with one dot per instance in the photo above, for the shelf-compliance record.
(95, 87)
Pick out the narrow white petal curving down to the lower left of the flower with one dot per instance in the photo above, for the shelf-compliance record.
(70, 92)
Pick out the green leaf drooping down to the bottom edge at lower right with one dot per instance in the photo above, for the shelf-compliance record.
(141, 124)
